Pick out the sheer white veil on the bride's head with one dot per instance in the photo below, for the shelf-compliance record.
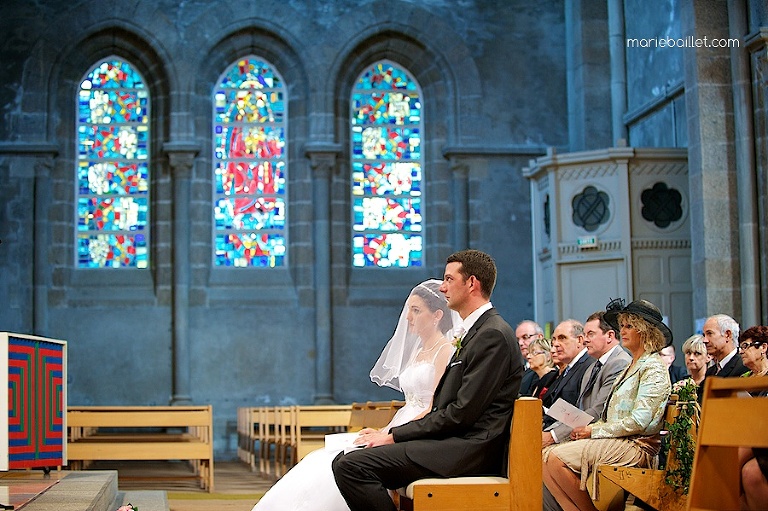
(401, 348)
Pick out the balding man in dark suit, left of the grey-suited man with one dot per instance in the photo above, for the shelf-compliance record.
(571, 356)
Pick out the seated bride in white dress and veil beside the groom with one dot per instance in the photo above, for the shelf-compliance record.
(413, 361)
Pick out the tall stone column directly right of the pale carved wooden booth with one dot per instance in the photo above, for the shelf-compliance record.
(711, 164)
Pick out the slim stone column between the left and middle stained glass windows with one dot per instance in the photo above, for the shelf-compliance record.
(181, 158)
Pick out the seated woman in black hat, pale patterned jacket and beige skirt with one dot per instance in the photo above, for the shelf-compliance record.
(627, 434)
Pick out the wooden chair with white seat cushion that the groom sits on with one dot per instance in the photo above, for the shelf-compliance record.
(522, 490)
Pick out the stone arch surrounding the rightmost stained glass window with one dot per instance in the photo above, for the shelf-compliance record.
(435, 64)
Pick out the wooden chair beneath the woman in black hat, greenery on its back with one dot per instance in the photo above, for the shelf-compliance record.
(649, 485)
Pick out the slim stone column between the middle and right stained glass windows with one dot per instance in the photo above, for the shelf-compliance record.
(323, 162)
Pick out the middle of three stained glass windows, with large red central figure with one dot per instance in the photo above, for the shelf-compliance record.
(249, 166)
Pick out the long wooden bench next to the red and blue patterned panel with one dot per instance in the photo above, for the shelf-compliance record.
(115, 433)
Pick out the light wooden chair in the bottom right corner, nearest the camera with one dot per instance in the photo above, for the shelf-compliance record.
(730, 418)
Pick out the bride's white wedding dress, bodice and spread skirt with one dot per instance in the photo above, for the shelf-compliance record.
(310, 486)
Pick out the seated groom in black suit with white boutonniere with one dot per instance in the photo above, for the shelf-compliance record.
(467, 431)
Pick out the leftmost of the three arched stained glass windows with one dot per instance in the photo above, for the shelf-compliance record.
(112, 168)
